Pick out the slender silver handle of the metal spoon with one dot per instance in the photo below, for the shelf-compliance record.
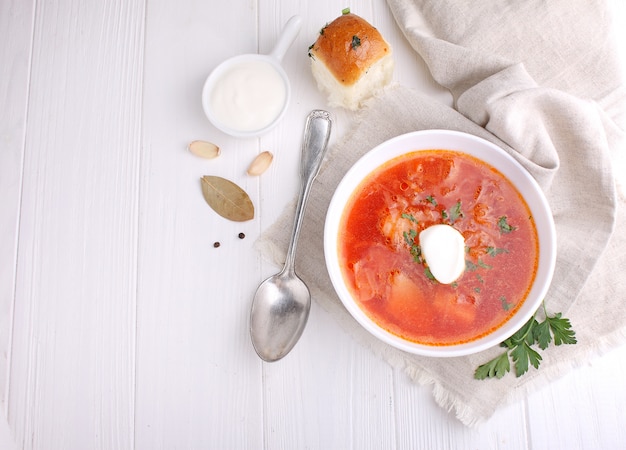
(316, 135)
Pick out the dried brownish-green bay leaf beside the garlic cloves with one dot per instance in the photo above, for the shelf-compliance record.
(227, 199)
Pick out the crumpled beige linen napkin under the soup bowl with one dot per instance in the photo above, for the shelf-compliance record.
(540, 81)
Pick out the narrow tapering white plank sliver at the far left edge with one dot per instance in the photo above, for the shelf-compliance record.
(15, 46)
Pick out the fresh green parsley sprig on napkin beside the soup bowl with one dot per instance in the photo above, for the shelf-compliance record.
(519, 347)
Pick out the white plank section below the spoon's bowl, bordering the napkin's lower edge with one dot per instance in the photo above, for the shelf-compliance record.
(328, 393)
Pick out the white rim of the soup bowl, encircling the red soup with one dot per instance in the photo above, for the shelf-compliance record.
(477, 147)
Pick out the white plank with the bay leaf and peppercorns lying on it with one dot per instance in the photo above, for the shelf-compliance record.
(198, 378)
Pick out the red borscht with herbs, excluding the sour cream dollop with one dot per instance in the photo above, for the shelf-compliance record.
(386, 272)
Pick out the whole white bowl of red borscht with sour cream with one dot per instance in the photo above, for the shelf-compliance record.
(439, 243)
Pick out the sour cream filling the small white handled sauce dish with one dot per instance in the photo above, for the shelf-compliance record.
(248, 96)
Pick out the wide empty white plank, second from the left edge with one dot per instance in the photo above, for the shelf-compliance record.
(72, 369)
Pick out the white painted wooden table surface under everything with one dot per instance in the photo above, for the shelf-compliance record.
(121, 326)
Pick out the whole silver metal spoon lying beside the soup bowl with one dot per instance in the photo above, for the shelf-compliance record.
(281, 305)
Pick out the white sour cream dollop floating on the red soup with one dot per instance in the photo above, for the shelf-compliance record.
(443, 248)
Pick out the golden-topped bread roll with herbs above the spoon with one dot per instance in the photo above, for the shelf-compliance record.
(350, 61)
